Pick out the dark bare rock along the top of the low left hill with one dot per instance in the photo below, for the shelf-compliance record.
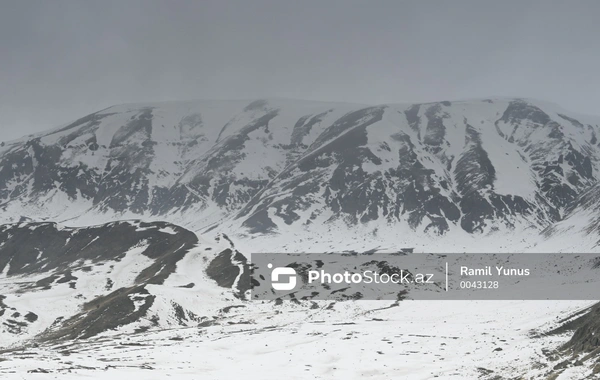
(44, 248)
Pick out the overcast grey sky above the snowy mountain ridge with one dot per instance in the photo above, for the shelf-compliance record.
(60, 60)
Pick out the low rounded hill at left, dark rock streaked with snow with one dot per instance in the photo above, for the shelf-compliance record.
(69, 283)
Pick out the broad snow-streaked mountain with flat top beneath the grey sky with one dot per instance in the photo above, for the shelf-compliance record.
(282, 167)
